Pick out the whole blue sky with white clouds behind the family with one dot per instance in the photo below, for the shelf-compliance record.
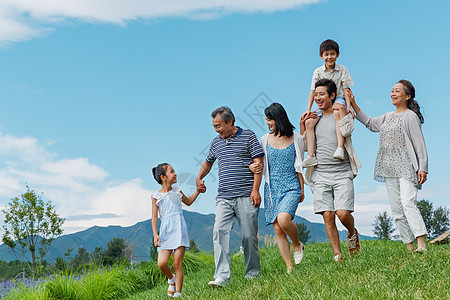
(93, 94)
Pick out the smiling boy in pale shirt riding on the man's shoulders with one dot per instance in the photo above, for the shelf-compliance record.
(329, 52)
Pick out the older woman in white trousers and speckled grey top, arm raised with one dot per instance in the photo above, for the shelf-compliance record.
(402, 161)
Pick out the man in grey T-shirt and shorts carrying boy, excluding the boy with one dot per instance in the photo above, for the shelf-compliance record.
(332, 179)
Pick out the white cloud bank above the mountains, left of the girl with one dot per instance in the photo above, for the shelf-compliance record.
(77, 187)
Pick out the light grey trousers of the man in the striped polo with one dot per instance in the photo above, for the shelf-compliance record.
(227, 211)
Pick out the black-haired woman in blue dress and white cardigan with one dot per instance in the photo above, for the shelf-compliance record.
(283, 189)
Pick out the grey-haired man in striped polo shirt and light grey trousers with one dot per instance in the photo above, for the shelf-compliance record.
(238, 194)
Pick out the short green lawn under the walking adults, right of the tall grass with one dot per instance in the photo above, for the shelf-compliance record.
(383, 270)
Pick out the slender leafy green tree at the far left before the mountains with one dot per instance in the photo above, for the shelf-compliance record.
(33, 224)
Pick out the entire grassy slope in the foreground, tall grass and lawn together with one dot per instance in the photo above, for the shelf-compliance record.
(383, 270)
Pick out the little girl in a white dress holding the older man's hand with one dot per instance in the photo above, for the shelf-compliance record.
(174, 237)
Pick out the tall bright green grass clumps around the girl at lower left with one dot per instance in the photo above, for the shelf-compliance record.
(113, 283)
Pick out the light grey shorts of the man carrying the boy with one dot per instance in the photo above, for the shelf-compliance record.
(331, 193)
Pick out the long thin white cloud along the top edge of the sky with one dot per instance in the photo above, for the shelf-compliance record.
(25, 19)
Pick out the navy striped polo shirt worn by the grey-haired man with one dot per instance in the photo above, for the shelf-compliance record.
(235, 155)
